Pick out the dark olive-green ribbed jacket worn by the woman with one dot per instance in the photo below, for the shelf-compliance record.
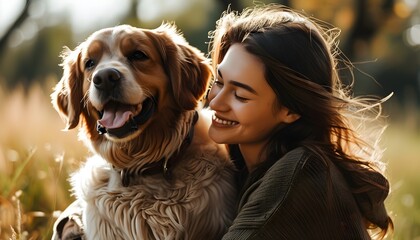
(300, 197)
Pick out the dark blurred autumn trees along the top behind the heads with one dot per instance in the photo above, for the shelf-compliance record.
(370, 28)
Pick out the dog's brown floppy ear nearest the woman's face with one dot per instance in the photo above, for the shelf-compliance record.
(187, 67)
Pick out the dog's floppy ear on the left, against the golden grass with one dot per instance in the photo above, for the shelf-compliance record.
(68, 93)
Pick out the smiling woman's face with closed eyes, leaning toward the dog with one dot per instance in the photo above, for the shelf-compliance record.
(243, 101)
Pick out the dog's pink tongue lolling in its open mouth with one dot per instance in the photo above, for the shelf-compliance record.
(116, 115)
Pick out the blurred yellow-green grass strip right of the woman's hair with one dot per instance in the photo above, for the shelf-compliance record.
(403, 157)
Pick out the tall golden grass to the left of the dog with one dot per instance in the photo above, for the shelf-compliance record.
(36, 157)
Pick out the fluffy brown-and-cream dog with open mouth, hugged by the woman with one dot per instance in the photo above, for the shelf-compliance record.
(154, 173)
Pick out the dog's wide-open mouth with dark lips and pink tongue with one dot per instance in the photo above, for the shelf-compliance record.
(120, 120)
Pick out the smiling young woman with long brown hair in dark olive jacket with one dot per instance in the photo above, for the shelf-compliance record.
(309, 166)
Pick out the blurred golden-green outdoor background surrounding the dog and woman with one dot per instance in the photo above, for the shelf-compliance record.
(381, 37)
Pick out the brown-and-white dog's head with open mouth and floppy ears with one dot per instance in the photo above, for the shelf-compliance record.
(121, 79)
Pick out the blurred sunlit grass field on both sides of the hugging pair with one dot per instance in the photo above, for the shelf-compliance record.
(36, 158)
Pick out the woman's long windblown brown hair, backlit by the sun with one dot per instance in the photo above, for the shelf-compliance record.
(301, 58)
